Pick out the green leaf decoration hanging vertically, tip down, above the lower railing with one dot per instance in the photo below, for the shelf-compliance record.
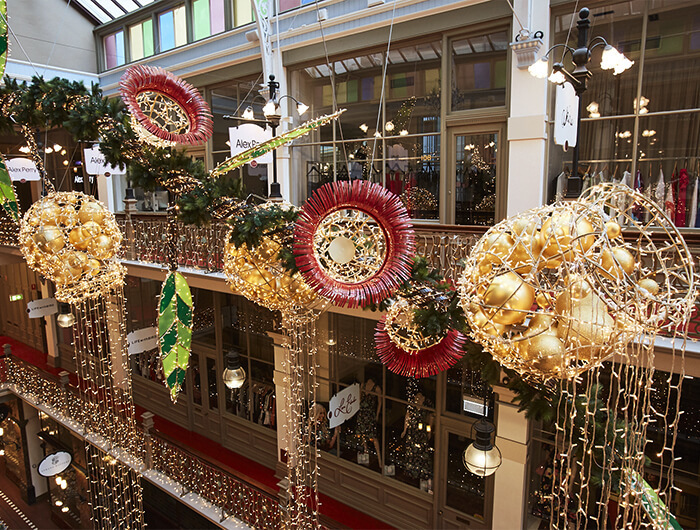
(175, 330)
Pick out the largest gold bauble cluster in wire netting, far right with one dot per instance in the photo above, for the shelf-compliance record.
(558, 289)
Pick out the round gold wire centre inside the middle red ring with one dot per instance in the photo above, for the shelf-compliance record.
(350, 246)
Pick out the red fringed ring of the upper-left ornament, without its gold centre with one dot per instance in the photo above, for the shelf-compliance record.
(142, 78)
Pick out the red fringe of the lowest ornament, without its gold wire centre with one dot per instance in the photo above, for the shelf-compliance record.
(422, 363)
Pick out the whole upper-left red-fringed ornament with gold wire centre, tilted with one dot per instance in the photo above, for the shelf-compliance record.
(165, 109)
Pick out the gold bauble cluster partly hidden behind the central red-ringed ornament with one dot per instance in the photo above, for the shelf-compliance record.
(259, 275)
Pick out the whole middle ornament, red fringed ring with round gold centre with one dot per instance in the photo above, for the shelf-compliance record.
(353, 242)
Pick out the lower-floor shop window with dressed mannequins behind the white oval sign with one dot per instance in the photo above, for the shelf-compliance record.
(393, 431)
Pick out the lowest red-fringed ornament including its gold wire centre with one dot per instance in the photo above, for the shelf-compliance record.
(406, 350)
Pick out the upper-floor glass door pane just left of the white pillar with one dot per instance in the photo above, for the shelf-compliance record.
(476, 185)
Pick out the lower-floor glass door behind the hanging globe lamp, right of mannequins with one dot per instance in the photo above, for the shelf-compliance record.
(463, 498)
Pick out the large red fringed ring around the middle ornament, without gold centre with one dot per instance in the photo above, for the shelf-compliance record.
(390, 215)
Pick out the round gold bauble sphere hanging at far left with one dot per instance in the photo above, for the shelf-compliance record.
(72, 239)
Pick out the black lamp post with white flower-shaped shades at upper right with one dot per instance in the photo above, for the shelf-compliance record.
(612, 59)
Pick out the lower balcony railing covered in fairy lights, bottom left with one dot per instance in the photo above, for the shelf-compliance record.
(151, 452)
